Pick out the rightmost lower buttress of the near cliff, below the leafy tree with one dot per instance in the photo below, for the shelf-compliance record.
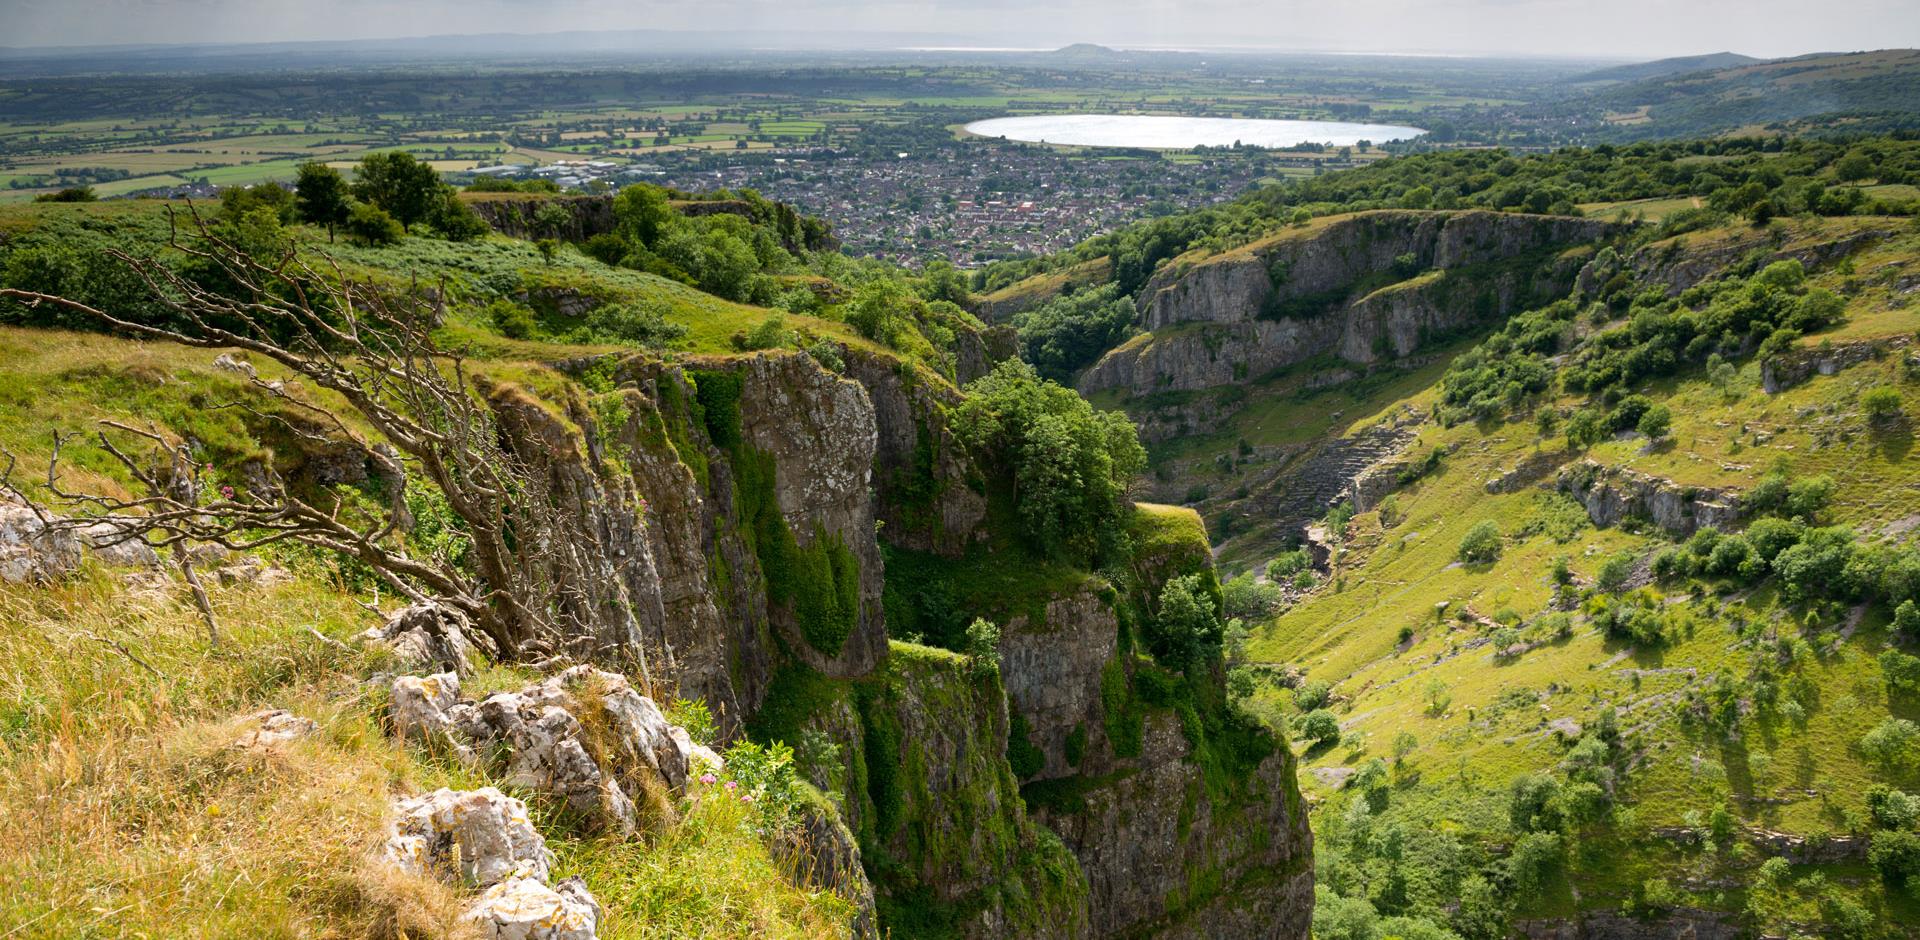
(1163, 853)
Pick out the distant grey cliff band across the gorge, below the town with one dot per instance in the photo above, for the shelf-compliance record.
(1318, 293)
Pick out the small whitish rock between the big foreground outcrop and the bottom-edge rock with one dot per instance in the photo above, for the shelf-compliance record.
(473, 837)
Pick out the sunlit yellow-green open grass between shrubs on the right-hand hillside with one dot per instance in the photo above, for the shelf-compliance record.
(1458, 778)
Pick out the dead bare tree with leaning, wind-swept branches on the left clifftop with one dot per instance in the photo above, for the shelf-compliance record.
(373, 348)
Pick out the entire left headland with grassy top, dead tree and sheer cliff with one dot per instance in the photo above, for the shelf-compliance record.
(963, 686)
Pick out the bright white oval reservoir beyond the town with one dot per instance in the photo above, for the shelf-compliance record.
(1184, 133)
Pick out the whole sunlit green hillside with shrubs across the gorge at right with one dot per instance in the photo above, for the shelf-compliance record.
(1543, 697)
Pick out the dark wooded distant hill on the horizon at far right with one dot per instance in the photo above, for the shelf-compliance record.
(1802, 95)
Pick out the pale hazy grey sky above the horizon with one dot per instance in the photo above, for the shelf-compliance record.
(1554, 28)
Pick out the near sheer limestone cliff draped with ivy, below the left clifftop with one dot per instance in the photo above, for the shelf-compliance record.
(738, 502)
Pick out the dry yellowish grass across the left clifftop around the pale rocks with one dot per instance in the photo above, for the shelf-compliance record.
(132, 812)
